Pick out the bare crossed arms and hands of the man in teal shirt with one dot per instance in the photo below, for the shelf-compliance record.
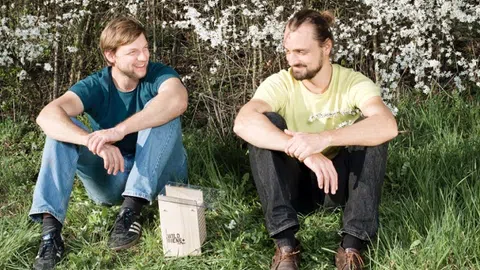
(54, 119)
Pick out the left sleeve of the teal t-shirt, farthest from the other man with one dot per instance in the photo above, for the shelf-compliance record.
(89, 90)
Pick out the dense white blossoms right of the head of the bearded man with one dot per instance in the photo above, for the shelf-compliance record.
(416, 39)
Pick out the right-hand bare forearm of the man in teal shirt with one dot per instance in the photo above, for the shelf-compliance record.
(157, 113)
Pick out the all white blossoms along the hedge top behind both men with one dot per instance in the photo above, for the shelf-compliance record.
(419, 41)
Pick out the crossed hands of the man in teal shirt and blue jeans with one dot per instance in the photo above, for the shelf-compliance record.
(101, 142)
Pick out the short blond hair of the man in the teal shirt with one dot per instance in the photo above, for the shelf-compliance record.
(118, 32)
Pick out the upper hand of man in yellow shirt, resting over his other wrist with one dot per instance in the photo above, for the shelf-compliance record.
(302, 145)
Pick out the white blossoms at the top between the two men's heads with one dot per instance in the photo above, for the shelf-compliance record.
(251, 23)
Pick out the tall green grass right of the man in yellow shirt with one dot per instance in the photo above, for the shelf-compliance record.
(430, 209)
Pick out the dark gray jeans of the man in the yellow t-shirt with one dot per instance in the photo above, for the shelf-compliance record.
(286, 186)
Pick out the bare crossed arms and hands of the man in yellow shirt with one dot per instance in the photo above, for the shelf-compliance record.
(378, 127)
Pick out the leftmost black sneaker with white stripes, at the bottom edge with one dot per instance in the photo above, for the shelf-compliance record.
(50, 252)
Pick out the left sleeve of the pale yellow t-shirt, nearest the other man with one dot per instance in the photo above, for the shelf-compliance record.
(274, 92)
